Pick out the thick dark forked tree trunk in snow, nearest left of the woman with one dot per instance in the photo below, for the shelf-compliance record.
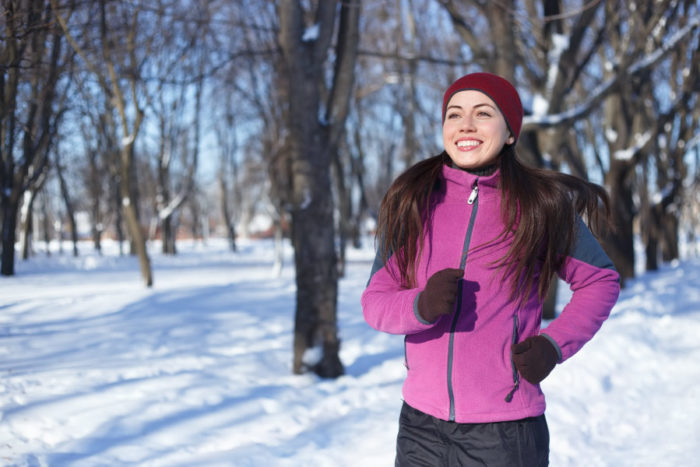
(305, 38)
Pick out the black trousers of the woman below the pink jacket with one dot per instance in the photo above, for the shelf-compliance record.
(424, 440)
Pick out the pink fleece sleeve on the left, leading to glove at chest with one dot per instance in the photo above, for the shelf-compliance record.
(389, 307)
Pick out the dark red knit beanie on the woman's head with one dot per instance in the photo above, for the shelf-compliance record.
(498, 89)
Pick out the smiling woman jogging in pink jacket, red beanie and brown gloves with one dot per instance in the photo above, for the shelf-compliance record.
(469, 243)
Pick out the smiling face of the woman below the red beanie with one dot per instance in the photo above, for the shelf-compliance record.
(474, 131)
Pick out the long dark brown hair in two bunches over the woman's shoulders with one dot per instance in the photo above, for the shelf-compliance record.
(539, 208)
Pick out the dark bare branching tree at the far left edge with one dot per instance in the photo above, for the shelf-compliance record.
(32, 61)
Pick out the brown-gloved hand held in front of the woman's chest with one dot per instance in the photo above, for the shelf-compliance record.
(438, 297)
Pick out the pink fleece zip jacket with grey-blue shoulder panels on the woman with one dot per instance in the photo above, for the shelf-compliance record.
(460, 367)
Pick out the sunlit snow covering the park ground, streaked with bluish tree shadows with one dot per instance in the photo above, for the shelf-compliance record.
(99, 370)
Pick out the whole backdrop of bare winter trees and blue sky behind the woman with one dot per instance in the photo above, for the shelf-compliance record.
(164, 119)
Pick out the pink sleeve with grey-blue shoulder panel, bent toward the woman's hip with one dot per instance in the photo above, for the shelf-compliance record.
(595, 285)
